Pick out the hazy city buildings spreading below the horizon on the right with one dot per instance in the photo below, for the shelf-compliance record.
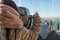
(49, 25)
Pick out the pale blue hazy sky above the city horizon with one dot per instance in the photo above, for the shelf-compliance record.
(46, 8)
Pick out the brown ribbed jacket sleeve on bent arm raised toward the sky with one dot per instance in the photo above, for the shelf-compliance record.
(30, 34)
